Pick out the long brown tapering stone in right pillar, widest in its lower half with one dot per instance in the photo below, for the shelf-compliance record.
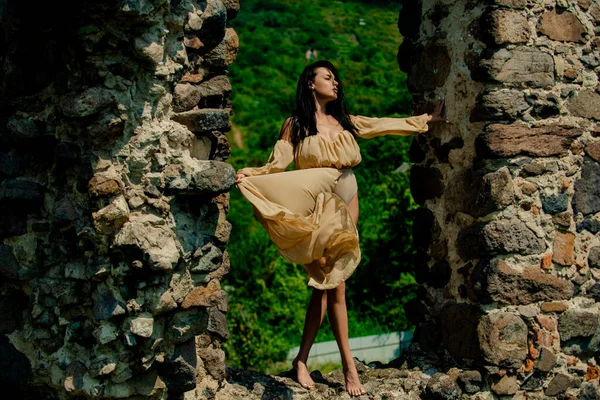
(495, 281)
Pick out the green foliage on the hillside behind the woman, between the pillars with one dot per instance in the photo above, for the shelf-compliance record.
(268, 295)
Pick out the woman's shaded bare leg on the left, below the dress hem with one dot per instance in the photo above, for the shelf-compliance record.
(315, 313)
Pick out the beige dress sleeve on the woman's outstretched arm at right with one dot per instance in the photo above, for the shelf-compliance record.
(372, 127)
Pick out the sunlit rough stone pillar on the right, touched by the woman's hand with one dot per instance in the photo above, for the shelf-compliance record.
(509, 190)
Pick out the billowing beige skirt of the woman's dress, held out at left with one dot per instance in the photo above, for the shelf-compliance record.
(308, 222)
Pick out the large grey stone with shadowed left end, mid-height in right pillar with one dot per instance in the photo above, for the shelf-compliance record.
(498, 237)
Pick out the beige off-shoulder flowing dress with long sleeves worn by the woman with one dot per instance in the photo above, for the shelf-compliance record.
(305, 211)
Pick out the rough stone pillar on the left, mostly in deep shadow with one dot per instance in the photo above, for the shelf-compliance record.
(113, 195)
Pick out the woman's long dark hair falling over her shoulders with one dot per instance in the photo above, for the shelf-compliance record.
(304, 123)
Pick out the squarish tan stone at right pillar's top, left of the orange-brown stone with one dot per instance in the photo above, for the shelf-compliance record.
(503, 27)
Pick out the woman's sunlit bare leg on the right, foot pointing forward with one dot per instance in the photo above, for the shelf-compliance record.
(338, 317)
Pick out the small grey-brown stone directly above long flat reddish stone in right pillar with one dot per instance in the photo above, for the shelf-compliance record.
(499, 105)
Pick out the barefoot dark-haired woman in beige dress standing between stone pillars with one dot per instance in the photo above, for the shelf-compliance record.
(311, 213)
